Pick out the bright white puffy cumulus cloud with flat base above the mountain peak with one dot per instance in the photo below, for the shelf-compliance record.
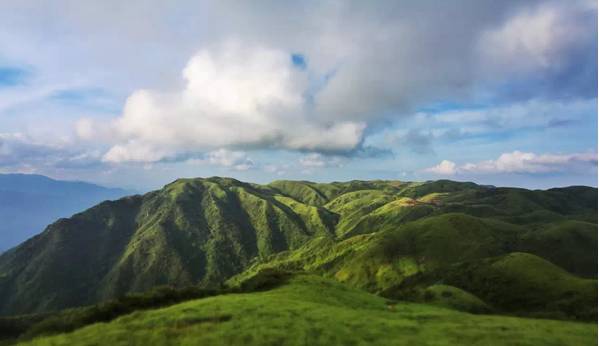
(235, 95)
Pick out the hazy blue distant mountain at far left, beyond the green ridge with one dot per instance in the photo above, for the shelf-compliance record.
(29, 202)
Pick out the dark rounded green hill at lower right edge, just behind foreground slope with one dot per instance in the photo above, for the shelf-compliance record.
(528, 285)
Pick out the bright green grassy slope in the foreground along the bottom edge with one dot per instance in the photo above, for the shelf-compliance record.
(310, 310)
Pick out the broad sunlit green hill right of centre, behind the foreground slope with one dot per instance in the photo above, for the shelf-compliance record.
(385, 257)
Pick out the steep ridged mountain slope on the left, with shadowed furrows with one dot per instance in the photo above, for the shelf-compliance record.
(192, 231)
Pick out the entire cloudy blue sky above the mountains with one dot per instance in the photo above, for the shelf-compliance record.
(138, 93)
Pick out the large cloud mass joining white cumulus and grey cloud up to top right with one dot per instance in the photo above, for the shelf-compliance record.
(362, 65)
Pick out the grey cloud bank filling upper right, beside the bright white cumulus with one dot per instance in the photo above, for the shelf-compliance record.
(387, 58)
